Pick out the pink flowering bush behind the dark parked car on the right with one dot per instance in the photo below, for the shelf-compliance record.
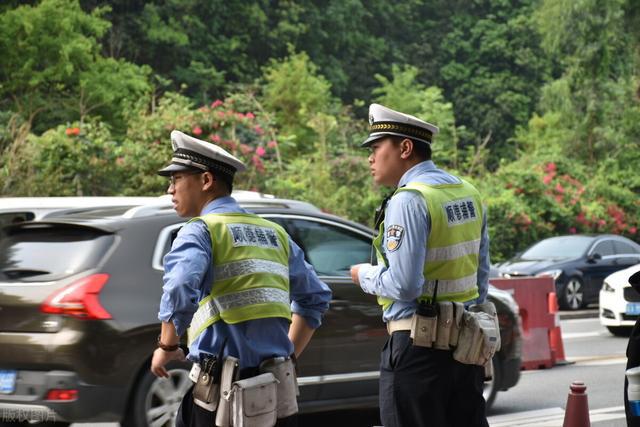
(534, 198)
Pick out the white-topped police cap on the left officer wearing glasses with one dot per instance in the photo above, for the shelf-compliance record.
(192, 154)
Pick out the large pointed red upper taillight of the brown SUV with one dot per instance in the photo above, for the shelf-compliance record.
(80, 299)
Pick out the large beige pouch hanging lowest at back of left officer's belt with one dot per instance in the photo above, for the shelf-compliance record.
(254, 401)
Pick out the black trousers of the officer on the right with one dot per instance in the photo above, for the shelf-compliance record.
(422, 387)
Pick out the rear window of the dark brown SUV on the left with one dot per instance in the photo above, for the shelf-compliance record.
(34, 253)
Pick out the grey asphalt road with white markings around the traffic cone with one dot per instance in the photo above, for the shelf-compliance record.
(539, 399)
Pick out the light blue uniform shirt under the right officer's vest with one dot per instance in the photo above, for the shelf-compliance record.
(402, 281)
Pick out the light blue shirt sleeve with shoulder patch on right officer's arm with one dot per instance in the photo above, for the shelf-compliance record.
(406, 221)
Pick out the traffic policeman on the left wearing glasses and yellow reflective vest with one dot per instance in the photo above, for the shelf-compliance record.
(236, 281)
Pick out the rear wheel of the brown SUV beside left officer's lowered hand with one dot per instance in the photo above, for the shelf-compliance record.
(158, 399)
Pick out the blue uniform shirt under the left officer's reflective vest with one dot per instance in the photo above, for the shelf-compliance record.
(187, 280)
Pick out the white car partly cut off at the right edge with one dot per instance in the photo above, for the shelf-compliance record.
(619, 302)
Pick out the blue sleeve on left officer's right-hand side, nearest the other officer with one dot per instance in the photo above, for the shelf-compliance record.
(310, 296)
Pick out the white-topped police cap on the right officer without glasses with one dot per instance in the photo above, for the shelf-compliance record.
(384, 121)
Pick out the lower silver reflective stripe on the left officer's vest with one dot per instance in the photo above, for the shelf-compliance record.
(216, 306)
